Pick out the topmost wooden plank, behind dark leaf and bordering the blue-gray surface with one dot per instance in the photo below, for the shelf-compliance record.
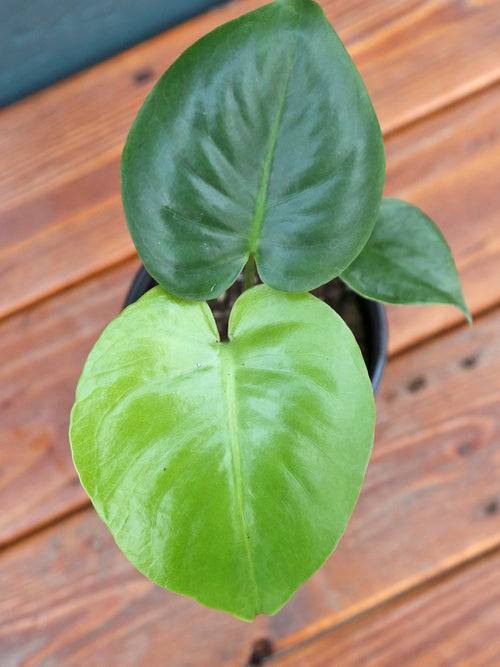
(59, 192)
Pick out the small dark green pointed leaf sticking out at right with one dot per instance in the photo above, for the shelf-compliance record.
(406, 261)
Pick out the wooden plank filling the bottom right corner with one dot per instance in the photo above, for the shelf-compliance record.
(452, 622)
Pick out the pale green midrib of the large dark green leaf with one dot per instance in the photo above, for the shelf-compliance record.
(261, 198)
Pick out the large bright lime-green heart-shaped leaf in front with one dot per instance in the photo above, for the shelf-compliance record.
(225, 471)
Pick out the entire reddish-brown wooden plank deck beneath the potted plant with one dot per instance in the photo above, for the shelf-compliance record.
(416, 577)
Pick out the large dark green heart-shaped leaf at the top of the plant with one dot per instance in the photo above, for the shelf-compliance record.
(260, 139)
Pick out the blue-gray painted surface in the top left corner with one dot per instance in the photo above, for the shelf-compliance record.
(42, 41)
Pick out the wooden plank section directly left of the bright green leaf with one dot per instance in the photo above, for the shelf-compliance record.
(42, 351)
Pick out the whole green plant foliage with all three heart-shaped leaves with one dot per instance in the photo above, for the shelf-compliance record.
(227, 470)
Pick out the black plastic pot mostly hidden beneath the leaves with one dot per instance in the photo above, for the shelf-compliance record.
(372, 315)
